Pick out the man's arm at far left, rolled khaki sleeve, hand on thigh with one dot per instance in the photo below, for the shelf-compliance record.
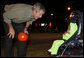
(7, 19)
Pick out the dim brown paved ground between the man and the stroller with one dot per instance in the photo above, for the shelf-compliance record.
(38, 44)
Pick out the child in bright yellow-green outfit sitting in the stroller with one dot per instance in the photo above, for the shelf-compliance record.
(72, 28)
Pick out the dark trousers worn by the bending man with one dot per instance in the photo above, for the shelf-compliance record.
(21, 45)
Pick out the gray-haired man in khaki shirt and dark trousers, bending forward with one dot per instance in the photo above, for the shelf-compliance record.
(17, 18)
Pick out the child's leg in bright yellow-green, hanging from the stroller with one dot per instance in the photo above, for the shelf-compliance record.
(55, 46)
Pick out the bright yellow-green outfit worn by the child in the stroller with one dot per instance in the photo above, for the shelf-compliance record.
(57, 43)
